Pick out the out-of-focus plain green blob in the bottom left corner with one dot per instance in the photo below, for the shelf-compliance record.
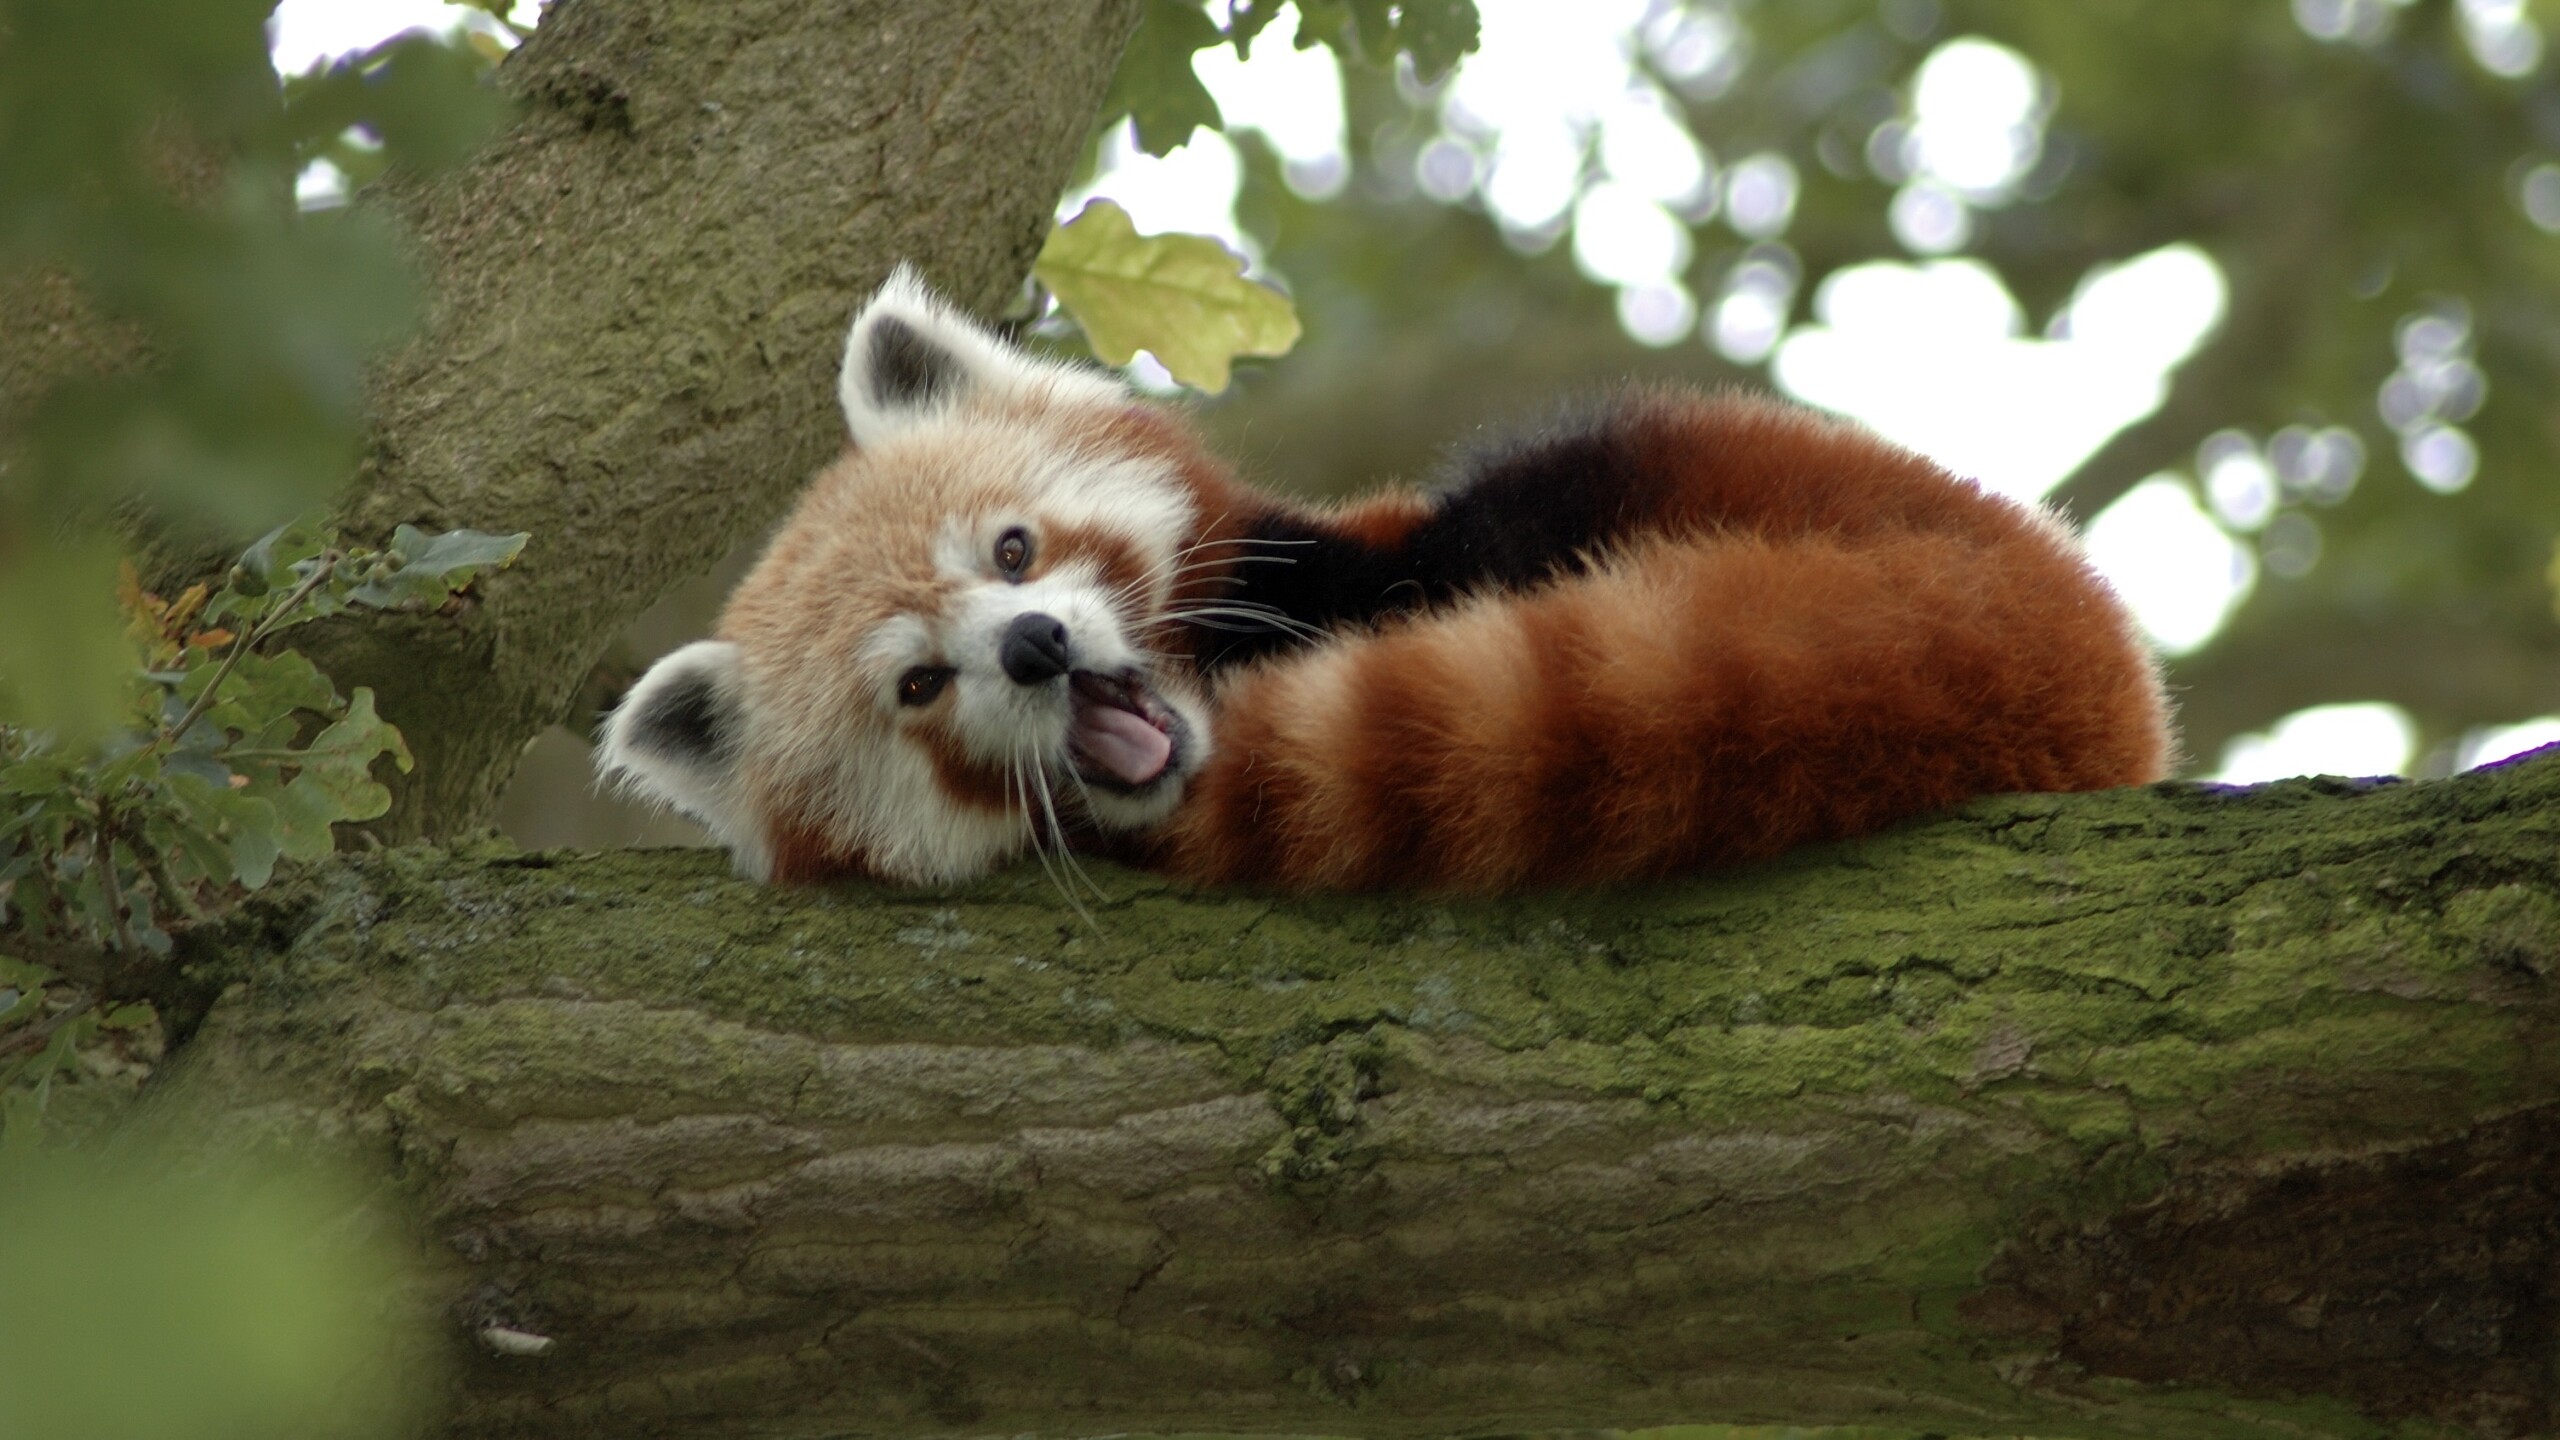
(165, 1295)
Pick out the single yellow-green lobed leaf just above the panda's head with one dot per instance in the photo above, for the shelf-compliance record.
(1184, 299)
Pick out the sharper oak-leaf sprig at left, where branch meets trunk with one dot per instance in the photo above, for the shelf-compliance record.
(232, 755)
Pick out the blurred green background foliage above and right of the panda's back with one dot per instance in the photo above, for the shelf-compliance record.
(2349, 188)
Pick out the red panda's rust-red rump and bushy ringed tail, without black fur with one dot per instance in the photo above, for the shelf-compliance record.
(1816, 634)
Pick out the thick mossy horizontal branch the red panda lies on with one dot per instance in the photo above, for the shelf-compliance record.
(2175, 1113)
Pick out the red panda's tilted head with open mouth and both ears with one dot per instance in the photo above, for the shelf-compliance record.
(943, 655)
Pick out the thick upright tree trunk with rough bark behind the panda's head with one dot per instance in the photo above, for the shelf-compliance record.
(641, 291)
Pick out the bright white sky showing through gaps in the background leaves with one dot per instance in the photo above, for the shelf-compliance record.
(1560, 137)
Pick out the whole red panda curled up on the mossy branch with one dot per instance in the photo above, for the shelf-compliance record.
(1673, 632)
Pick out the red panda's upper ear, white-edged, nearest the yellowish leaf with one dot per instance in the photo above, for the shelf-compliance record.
(913, 357)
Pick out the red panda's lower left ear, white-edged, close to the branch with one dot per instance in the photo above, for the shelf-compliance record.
(677, 742)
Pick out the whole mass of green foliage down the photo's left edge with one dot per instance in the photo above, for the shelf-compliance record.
(186, 365)
